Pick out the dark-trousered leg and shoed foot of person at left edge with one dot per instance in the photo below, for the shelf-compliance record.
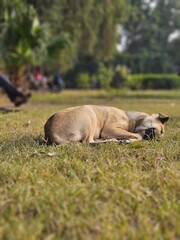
(15, 96)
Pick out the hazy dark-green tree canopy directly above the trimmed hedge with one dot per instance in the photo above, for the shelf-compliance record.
(147, 31)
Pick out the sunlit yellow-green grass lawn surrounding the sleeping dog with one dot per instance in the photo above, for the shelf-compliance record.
(75, 191)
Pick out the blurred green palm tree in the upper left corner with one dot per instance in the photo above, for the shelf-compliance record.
(21, 38)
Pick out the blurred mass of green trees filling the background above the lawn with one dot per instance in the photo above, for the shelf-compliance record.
(77, 37)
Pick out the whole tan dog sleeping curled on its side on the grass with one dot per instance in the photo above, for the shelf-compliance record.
(96, 124)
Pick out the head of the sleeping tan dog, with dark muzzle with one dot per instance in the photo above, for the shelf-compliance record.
(151, 126)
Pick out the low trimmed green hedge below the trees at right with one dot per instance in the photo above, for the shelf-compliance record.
(153, 81)
